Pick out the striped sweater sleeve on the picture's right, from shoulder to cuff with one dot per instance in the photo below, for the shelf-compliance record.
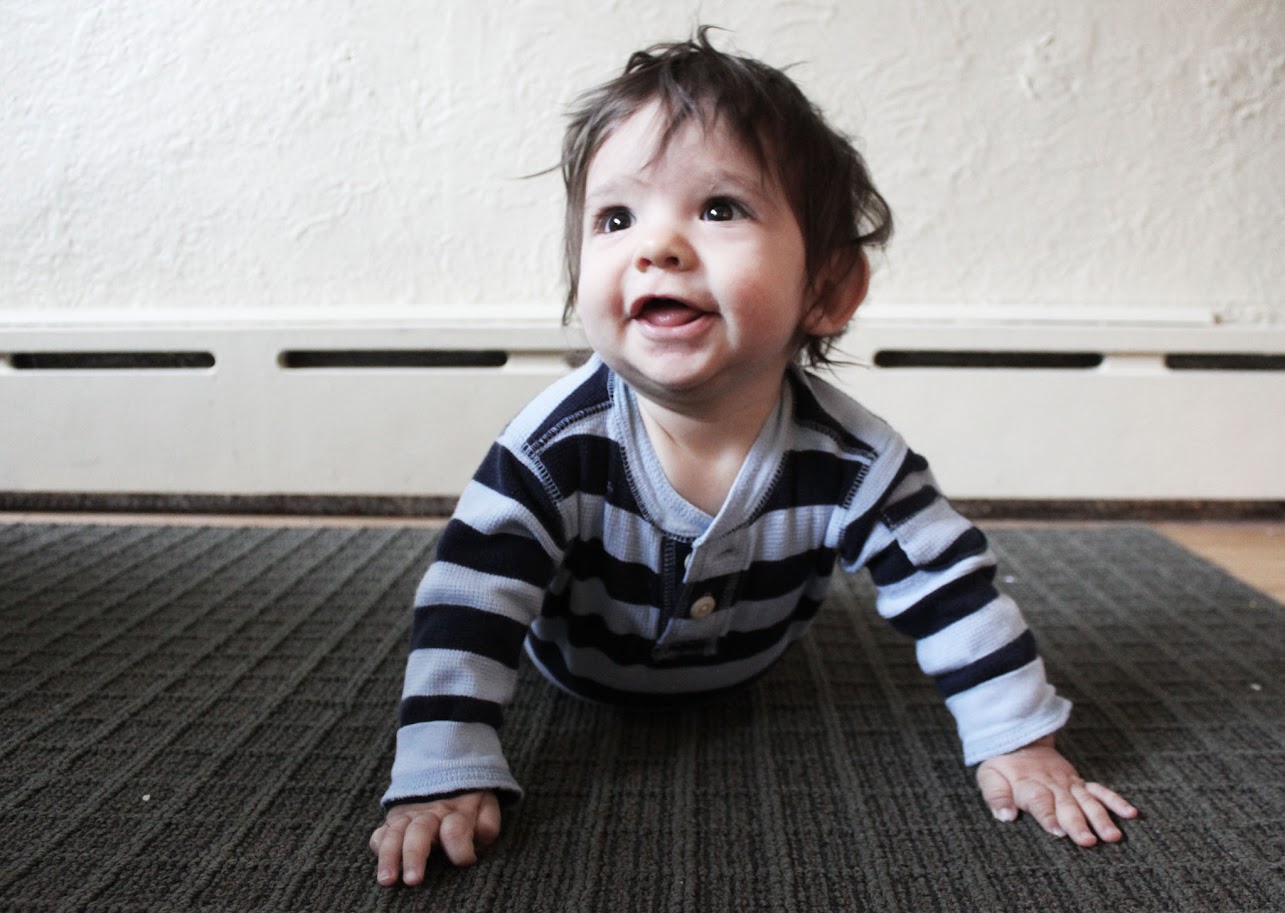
(935, 576)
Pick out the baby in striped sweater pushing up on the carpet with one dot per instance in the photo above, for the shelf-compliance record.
(659, 527)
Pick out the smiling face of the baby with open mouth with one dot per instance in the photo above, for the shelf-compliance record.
(692, 273)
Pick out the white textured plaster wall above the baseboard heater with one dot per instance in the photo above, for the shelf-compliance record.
(339, 155)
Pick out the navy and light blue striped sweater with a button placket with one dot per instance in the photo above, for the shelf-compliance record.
(570, 543)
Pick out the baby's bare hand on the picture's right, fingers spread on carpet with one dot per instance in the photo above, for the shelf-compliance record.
(1040, 781)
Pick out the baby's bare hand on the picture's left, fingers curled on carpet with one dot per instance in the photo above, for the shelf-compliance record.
(458, 825)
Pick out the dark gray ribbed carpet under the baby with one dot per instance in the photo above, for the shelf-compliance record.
(202, 718)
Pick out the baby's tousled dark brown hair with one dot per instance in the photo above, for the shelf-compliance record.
(826, 179)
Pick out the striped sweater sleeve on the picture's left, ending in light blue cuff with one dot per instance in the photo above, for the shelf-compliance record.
(472, 612)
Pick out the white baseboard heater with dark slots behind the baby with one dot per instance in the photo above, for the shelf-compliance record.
(398, 406)
